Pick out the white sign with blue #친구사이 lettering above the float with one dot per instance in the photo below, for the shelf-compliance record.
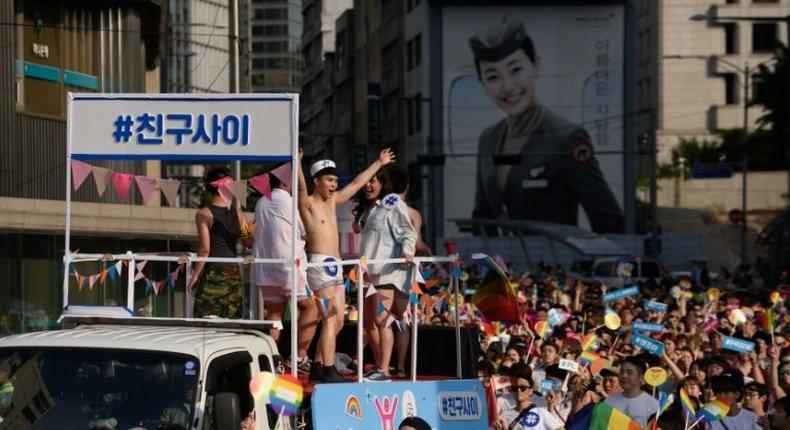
(182, 126)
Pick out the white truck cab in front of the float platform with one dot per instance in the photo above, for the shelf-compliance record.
(124, 372)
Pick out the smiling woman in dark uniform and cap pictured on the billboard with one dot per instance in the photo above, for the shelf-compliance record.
(556, 171)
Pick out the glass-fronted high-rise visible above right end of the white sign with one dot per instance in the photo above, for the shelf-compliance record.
(276, 30)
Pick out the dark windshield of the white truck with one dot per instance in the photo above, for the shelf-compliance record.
(96, 389)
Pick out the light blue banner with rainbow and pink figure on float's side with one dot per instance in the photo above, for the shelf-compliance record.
(454, 405)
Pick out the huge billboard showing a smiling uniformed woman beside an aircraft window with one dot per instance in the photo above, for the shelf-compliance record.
(533, 114)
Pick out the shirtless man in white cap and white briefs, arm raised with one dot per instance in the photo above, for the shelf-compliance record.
(318, 211)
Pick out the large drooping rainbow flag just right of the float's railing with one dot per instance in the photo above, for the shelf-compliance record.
(495, 297)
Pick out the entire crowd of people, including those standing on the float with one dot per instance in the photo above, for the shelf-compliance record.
(576, 343)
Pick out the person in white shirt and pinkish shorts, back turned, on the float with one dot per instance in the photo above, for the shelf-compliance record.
(273, 239)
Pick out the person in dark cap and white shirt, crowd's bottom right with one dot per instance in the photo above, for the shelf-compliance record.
(729, 386)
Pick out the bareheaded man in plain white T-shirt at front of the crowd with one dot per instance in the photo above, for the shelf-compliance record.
(632, 401)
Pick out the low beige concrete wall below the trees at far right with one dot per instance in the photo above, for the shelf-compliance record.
(764, 191)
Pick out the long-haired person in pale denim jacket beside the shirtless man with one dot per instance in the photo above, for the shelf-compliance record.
(387, 232)
